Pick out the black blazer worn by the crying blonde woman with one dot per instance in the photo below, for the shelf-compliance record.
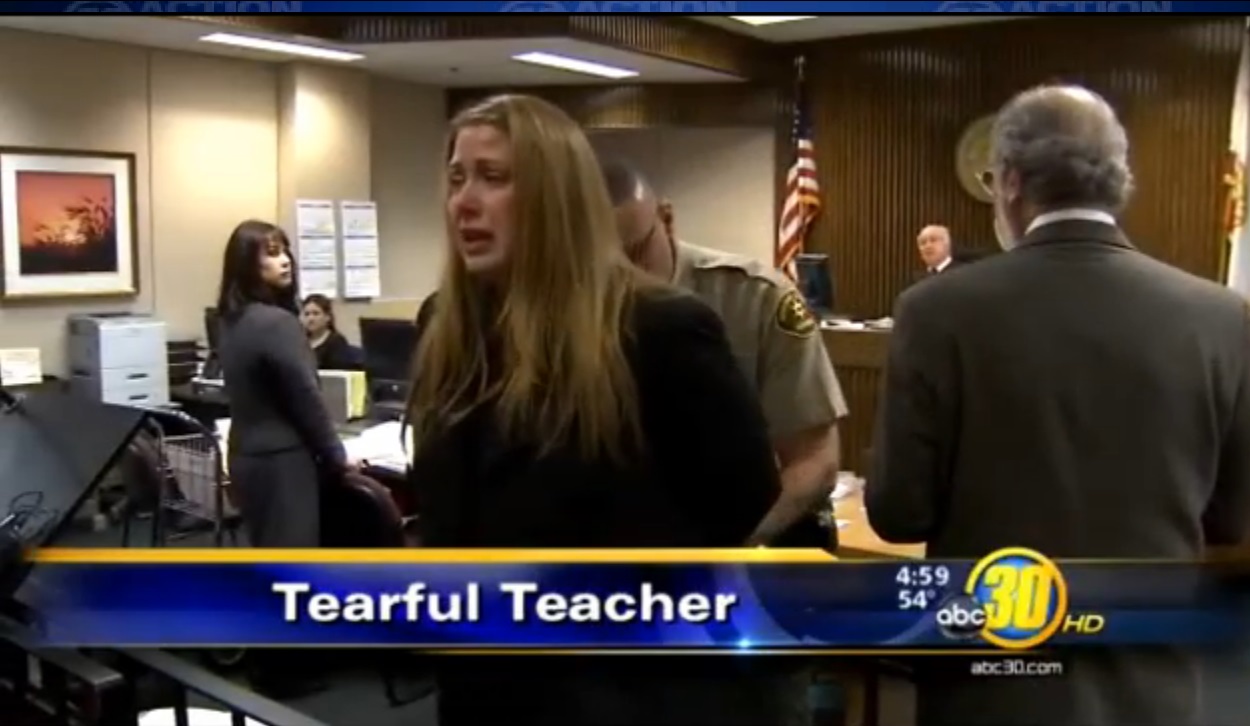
(708, 480)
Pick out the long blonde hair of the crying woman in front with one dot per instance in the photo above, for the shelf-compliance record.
(561, 324)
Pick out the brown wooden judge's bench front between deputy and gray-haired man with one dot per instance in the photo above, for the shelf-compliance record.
(859, 358)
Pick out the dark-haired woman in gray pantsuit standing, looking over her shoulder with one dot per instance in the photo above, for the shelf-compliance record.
(283, 445)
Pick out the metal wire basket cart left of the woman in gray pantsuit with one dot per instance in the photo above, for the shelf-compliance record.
(191, 477)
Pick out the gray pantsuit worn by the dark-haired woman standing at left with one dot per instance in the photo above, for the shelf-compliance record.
(282, 440)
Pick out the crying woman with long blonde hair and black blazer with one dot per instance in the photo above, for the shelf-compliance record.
(567, 400)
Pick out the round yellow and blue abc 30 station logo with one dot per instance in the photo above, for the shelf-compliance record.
(1016, 599)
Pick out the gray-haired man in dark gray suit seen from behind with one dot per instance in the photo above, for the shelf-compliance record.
(1073, 397)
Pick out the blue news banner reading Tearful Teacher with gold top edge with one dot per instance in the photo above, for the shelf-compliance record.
(637, 600)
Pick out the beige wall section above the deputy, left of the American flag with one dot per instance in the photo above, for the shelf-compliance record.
(721, 182)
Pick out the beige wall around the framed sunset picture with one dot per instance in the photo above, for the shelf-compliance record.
(207, 137)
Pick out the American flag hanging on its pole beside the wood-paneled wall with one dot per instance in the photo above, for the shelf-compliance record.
(802, 189)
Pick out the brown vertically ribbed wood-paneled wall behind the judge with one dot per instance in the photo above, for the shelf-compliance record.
(889, 112)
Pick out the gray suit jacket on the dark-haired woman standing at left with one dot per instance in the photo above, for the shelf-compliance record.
(271, 378)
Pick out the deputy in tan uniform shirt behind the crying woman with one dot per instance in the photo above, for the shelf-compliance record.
(774, 337)
